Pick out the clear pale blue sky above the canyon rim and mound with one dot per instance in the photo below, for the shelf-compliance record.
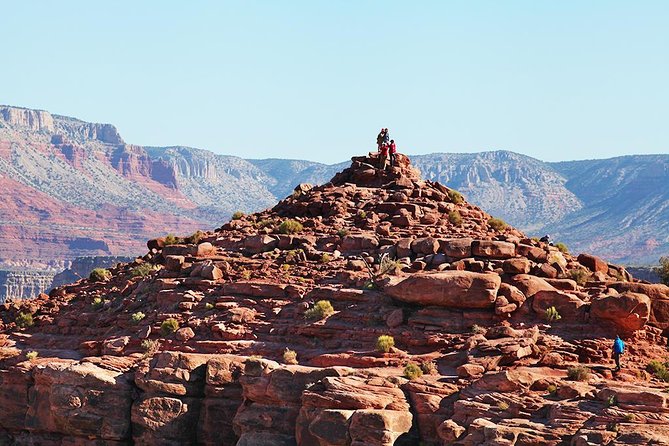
(557, 80)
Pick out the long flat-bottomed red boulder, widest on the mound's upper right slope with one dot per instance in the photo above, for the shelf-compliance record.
(456, 289)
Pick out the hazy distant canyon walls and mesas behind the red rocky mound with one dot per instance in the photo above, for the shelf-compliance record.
(74, 188)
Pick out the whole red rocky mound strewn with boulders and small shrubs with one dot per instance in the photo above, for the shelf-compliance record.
(376, 309)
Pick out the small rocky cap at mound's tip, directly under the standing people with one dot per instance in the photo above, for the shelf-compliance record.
(365, 171)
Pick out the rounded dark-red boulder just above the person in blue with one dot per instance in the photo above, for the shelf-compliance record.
(628, 311)
